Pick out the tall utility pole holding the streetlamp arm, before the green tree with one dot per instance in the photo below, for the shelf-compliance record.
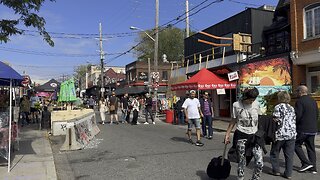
(156, 46)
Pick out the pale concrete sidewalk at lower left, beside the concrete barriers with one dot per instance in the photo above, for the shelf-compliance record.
(34, 160)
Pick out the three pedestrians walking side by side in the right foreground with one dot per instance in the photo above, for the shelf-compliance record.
(293, 127)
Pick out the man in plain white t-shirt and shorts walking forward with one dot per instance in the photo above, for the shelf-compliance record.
(193, 113)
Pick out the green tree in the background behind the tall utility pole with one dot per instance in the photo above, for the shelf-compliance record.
(171, 43)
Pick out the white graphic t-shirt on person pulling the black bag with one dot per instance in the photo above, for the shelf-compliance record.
(247, 116)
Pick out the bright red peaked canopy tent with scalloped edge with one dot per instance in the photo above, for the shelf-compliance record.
(204, 80)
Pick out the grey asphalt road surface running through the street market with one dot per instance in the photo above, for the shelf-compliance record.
(147, 152)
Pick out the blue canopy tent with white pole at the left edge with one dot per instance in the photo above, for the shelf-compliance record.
(9, 77)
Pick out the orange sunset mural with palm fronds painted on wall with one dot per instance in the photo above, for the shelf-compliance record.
(267, 76)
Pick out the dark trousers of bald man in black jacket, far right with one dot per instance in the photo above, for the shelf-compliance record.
(308, 141)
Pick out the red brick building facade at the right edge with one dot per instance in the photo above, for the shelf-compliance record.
(305, 39)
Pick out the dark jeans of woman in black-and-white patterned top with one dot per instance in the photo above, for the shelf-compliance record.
(288, 151)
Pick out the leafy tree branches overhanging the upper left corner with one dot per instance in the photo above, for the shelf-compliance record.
(27, 10)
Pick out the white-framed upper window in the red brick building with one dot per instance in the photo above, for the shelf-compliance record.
(312, 21)
